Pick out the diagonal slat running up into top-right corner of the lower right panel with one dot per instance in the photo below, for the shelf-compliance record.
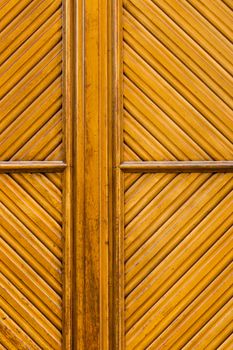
(191, 211)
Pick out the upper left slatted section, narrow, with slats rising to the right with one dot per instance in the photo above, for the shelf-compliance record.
(30, 80)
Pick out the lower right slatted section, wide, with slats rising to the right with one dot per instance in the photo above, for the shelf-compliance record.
(178, 261)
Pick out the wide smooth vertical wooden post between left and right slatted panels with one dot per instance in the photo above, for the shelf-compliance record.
(92, 174)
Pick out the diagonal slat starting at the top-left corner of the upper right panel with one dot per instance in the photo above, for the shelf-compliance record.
(181, 45)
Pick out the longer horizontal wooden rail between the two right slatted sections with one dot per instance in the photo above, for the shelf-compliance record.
(177, 166)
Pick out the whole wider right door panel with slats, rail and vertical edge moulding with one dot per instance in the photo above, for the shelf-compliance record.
(173, 177)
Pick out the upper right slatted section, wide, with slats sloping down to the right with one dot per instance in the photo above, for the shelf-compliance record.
(177, 80)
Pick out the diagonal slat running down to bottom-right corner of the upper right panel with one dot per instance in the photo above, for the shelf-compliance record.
(178, 108)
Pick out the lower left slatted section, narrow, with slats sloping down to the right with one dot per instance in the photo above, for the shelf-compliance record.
(31, 254)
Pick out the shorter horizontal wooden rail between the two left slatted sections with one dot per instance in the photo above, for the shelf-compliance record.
(32, 166)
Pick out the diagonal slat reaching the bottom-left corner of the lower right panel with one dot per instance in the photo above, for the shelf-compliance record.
(182, 293)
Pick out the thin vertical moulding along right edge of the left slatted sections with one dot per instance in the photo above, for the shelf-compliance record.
(68, 180)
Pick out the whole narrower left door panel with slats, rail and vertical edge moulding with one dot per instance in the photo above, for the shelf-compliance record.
(35, 174)
